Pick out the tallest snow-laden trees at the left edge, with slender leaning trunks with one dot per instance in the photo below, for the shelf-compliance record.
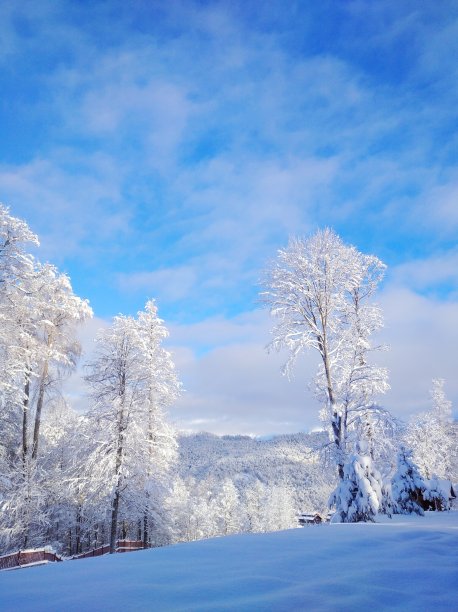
(39, 314)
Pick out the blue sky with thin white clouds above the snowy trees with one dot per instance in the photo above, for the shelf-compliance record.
(169, 149)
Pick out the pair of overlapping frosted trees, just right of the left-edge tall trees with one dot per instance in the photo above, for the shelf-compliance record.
(132, 380)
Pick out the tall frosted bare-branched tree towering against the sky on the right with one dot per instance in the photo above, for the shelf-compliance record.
(319, 290)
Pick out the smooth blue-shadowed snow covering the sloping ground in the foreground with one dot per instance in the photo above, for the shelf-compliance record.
(408, 563)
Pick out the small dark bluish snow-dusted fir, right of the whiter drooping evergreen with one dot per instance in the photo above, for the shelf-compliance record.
(407, 485)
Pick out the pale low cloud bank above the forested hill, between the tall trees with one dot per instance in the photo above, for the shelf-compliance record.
(238, 388)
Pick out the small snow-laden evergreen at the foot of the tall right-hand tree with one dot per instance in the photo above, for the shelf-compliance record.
(358, 495)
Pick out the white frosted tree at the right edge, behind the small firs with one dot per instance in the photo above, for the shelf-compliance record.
(430, 436)
